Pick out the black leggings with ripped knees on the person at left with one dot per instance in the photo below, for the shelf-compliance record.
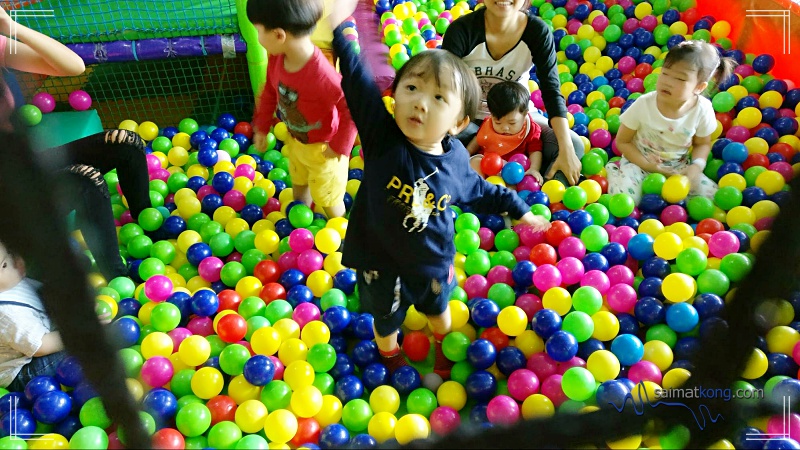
(79, 167)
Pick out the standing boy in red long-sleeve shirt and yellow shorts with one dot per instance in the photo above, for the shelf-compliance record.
(306, 90)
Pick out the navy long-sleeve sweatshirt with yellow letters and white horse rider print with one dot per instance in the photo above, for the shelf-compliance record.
(400, 221)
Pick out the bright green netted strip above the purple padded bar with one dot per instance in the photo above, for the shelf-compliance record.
(112, 20)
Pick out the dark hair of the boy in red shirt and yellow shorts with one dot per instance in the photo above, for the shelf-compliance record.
(298, 17)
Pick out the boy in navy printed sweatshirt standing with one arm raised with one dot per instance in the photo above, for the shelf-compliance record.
(400, 234)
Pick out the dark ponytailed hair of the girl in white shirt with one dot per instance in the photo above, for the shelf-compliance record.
(704, 57)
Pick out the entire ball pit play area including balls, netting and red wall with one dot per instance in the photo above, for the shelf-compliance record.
(239, 327)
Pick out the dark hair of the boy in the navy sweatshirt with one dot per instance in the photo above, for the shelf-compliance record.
(441, 62)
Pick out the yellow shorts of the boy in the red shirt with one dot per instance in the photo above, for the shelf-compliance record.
(326, 178)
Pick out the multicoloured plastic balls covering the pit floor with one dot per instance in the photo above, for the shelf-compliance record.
(242, 327)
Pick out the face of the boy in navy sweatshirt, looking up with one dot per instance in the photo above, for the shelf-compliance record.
(426, 110)
